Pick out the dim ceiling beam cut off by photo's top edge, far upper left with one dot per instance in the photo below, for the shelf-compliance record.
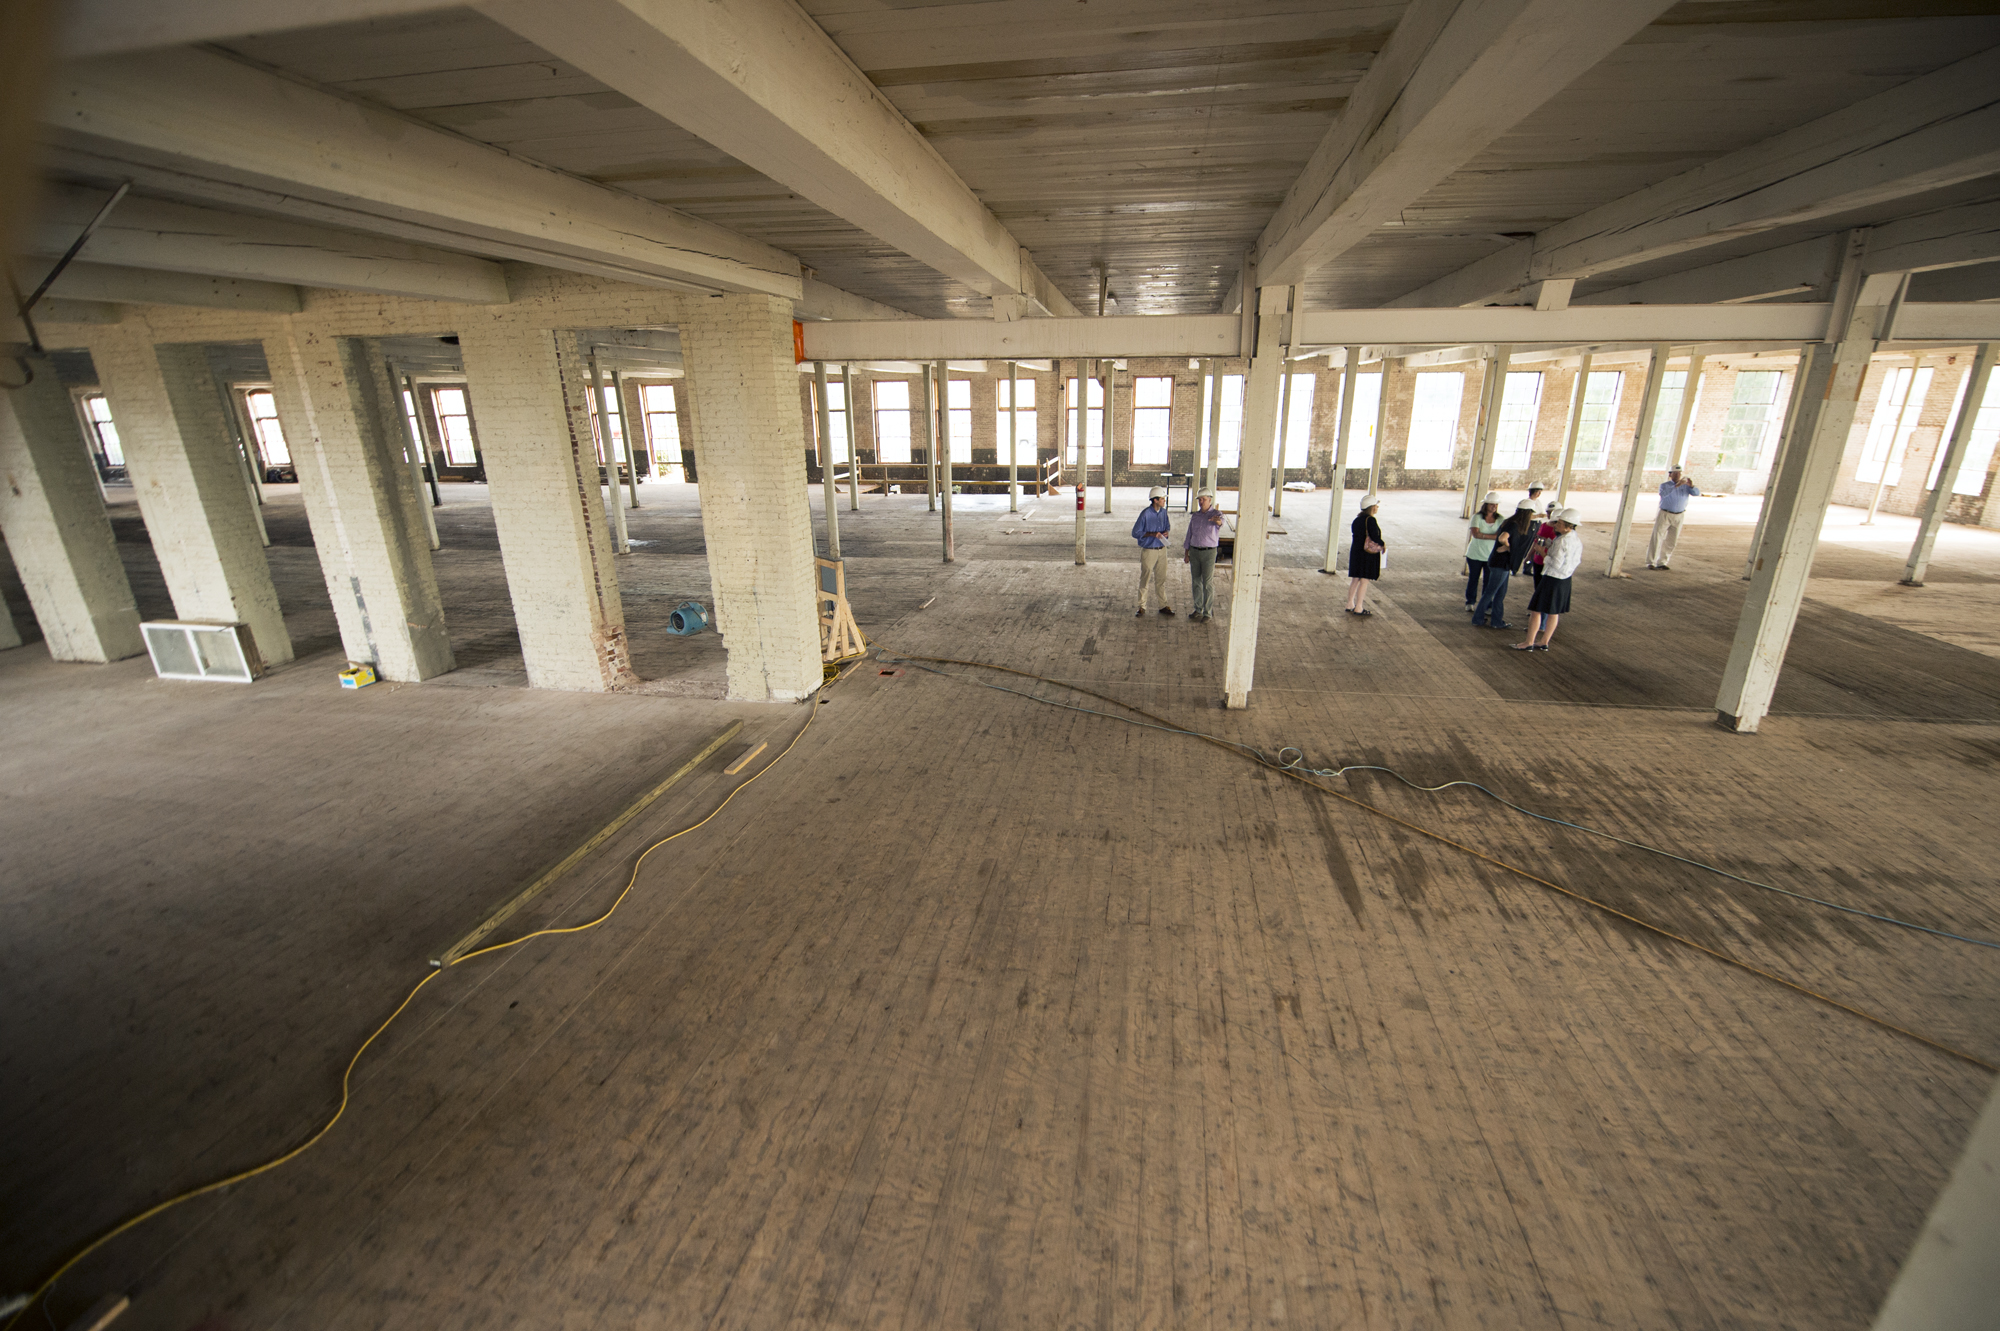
(117, 27)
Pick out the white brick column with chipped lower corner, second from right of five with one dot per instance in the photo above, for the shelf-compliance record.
(543, 473)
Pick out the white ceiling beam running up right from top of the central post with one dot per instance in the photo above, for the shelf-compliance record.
(1451, 79)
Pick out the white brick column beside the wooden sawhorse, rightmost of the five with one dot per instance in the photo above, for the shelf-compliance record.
(751, 457)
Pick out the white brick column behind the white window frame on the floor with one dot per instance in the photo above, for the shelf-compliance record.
(191, 485)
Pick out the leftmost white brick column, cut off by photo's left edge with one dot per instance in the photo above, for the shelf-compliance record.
(57, 529)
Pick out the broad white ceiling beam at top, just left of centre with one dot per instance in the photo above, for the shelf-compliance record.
(763, 83)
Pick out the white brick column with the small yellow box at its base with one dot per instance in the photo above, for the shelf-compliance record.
(345, 425)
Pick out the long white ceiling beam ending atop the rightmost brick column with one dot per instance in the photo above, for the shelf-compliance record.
(197, 123)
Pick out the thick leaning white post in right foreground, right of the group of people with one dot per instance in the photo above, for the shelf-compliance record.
(1799, 509)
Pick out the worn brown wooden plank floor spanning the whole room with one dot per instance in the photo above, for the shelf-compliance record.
(991, 1014)
